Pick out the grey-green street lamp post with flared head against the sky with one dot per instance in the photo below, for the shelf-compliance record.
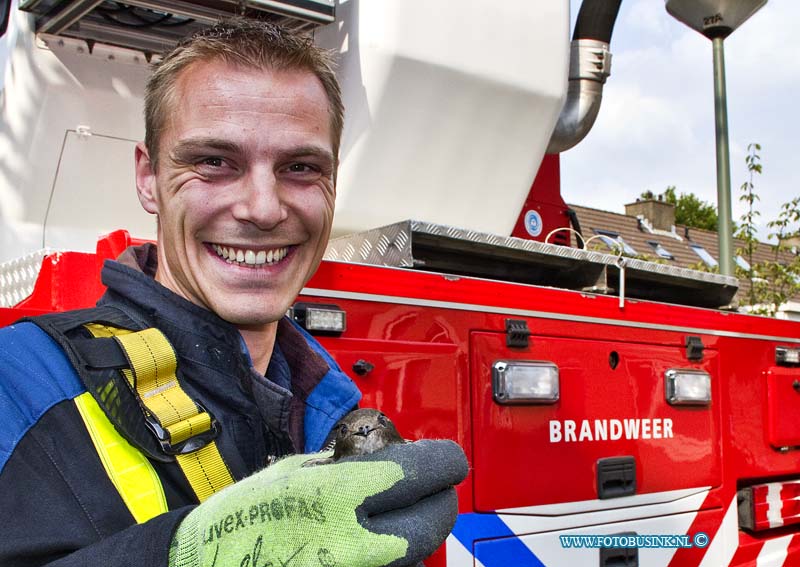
(716, 20)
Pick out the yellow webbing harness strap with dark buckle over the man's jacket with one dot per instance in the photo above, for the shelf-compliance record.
(153, 377)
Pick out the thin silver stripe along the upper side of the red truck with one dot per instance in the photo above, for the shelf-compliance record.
(537, 314)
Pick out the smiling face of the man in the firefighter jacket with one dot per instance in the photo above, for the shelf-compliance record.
(244, 189)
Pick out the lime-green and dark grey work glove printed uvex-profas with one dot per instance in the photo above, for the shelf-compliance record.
(389, 508)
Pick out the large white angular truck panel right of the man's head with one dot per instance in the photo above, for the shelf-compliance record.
(450, 105)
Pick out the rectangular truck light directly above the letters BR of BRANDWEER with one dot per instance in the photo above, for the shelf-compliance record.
(525, 382)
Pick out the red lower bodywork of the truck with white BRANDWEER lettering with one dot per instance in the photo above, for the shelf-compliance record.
(421, 346)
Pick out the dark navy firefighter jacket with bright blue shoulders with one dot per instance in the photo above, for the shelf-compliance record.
(58, 506)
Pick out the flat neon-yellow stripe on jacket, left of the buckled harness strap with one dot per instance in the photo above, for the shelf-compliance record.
(129, 470)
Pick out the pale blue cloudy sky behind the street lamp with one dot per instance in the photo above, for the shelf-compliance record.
(656, 122)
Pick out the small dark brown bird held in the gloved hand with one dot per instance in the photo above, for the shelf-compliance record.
(360, 432)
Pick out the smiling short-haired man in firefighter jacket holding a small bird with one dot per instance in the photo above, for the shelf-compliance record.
(156, 428)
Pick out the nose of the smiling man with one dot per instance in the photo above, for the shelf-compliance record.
(260, 202)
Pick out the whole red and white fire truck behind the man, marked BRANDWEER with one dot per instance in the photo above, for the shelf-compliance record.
(613, 411)
